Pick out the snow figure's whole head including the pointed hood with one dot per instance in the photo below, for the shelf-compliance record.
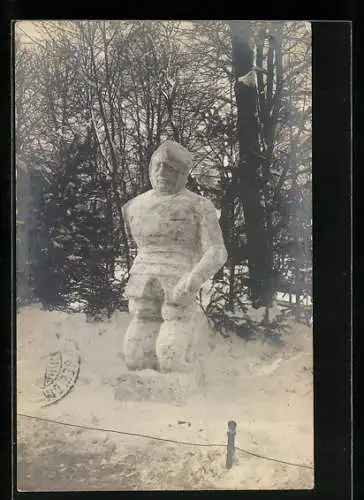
(169, 167)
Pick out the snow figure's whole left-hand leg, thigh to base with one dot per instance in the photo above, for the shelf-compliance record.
(141, 335)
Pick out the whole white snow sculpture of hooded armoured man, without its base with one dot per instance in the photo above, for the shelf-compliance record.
(180, 246)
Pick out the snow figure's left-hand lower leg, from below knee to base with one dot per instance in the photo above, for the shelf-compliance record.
(139, 344)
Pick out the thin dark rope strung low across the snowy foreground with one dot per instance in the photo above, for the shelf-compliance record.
(156, 438)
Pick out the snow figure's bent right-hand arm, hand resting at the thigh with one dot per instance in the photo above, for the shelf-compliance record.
(214, 254)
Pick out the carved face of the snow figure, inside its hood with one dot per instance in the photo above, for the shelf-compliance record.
(168, 175)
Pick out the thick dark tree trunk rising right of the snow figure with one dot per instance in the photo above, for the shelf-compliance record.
(250, 183)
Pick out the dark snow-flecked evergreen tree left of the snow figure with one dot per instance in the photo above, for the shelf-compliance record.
(79, 236)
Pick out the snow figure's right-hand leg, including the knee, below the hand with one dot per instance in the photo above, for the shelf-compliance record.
(175, 337)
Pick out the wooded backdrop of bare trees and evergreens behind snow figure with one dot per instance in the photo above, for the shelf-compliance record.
(93, 99)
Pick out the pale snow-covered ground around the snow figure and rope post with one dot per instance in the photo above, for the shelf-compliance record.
(265, 387)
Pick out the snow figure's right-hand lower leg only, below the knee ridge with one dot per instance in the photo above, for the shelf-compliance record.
(173, 344)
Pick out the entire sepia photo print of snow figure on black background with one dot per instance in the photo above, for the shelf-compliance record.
(164, 310)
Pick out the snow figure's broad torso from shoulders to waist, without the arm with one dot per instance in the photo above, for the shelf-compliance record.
(166, 230)
